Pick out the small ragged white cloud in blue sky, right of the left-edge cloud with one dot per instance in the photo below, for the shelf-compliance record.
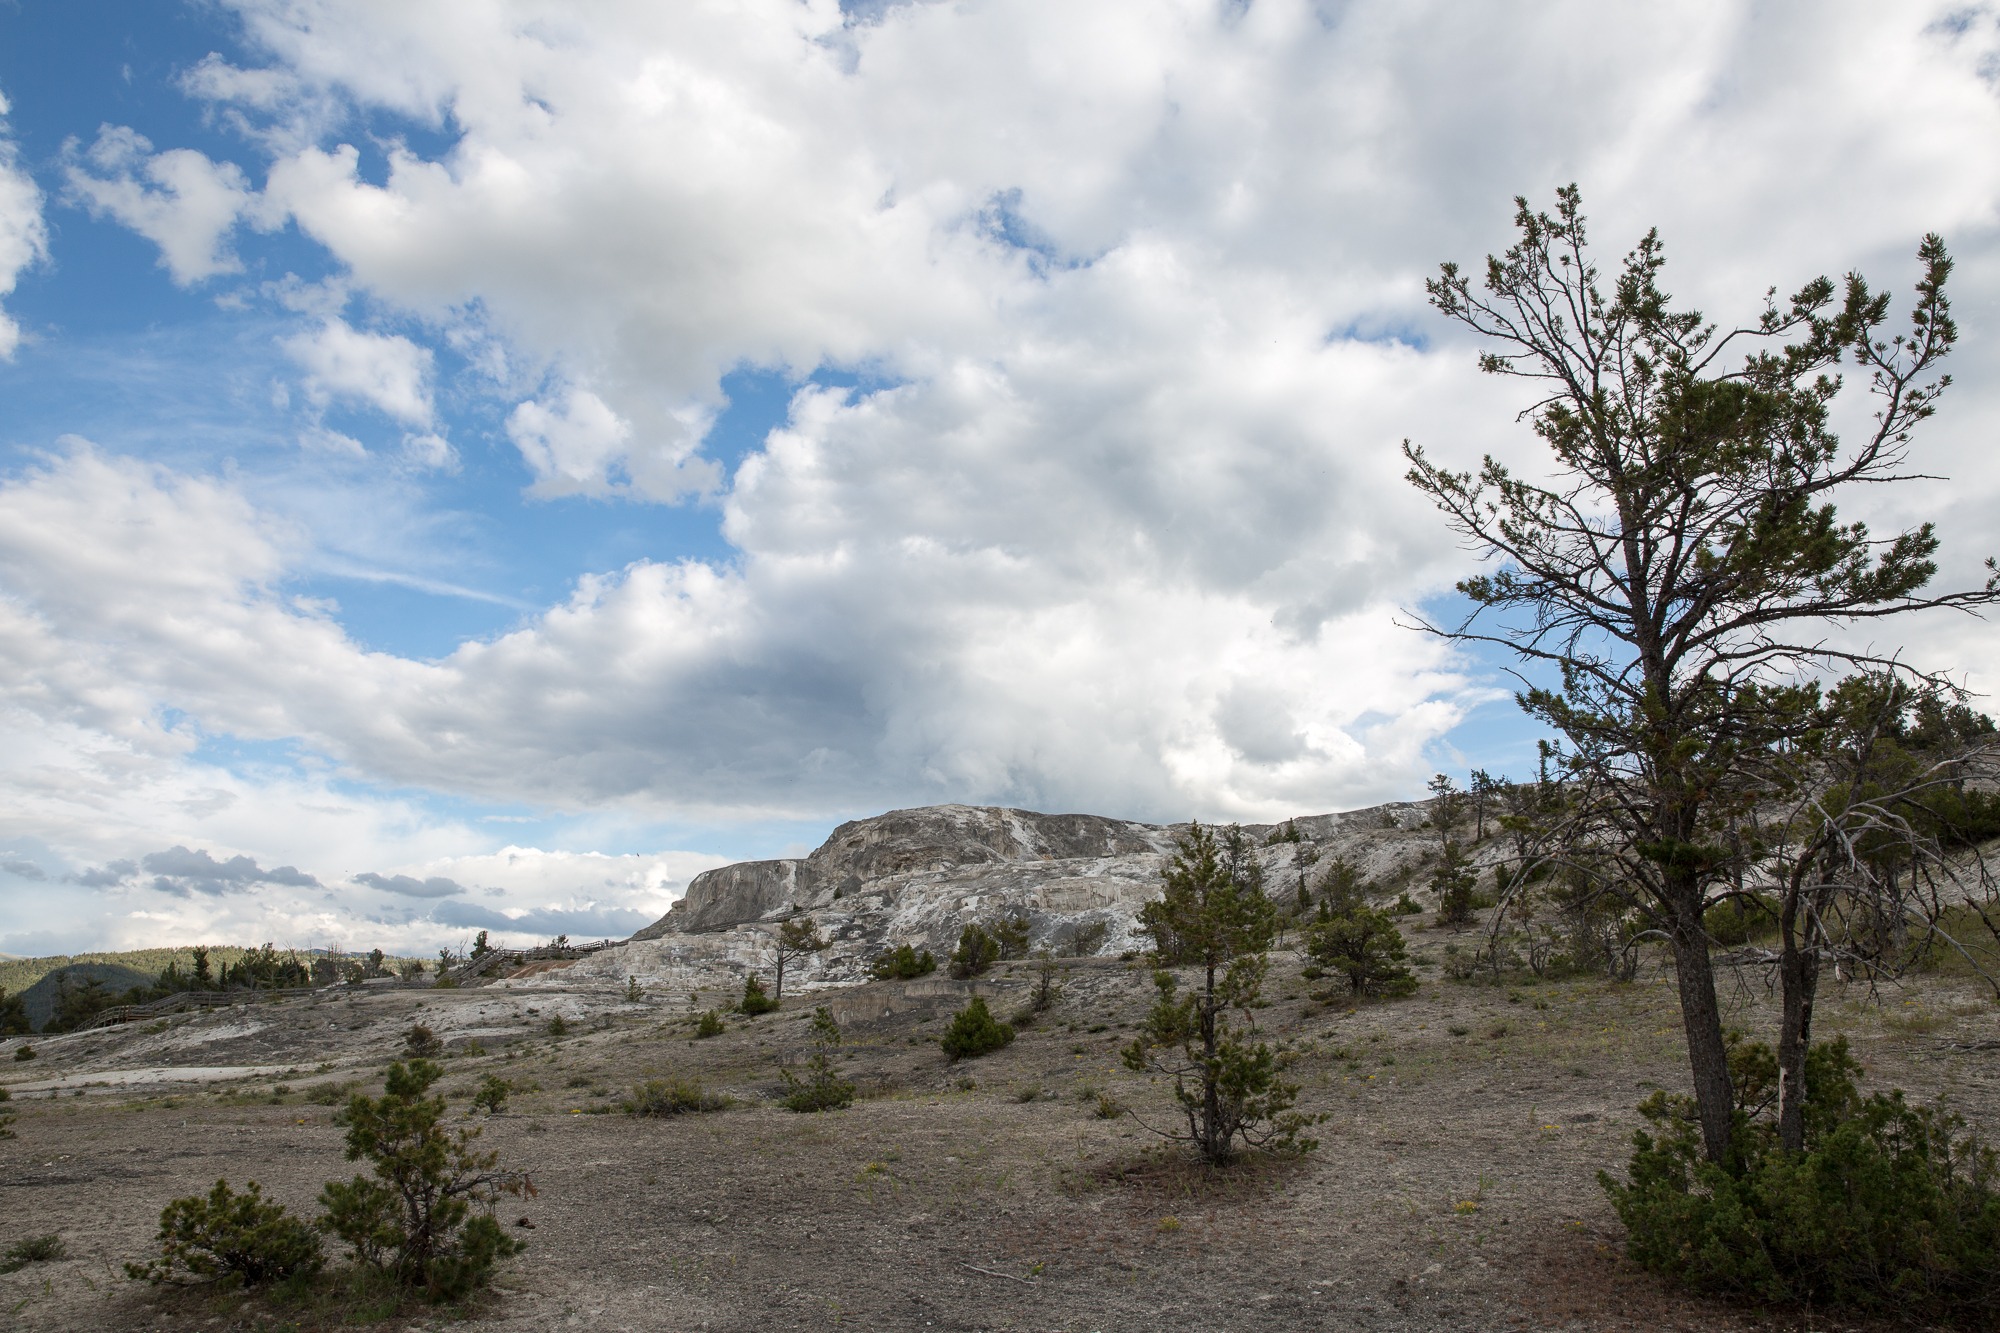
(179, 199)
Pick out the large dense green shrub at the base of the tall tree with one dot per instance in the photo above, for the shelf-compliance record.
(1889, 1208)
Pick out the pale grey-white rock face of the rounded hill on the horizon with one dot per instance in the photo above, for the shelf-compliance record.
(917, 878)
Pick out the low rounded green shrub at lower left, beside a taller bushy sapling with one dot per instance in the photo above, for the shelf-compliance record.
(231, 1238)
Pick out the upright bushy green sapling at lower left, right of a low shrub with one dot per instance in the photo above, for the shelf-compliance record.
(413, 1220)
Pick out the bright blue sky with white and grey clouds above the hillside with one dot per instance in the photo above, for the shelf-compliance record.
(479, 463)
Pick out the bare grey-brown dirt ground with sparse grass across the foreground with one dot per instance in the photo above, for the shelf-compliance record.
(1455, 1186)
